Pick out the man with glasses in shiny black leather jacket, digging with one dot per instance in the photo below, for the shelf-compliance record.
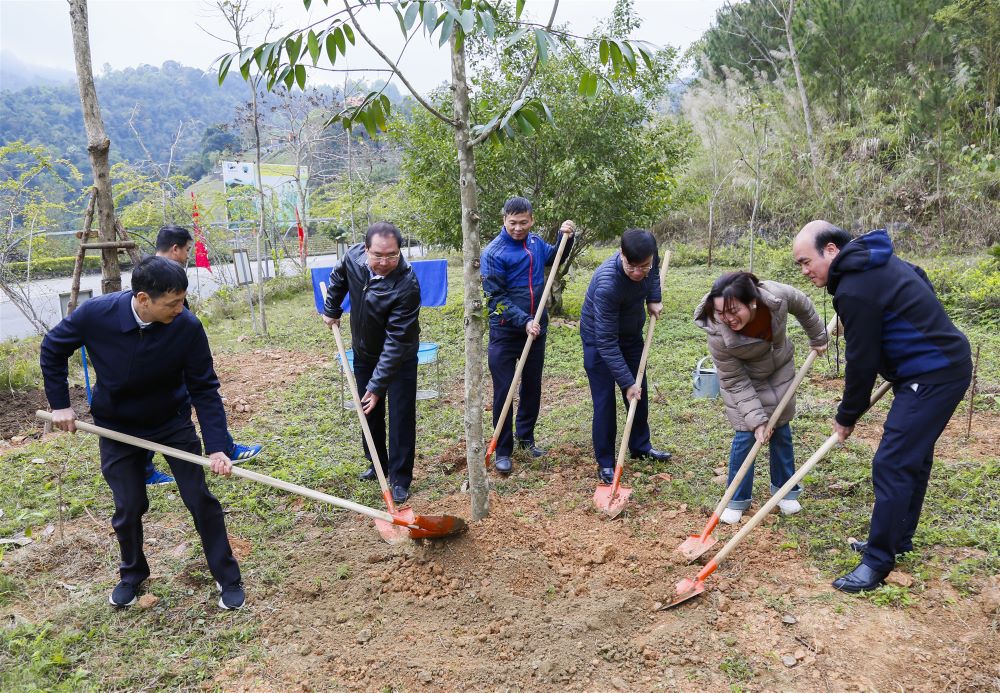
(385, 336)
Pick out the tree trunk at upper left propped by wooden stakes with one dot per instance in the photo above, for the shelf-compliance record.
(98, 145)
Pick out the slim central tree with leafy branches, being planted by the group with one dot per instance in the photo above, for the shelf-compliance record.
(287, 59)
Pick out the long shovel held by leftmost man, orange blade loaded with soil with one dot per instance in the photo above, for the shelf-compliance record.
(420, 527)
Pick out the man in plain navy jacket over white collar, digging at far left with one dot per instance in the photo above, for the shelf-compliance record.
(153, 362)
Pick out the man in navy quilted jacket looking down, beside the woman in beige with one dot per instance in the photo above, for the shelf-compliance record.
(623, 289)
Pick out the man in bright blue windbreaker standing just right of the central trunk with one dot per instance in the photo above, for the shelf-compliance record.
(513, 270)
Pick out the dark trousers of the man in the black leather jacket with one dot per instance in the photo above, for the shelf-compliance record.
(402, 396)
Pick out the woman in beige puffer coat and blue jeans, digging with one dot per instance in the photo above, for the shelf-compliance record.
(746, 320)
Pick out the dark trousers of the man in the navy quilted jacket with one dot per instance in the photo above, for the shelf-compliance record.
(604, 390)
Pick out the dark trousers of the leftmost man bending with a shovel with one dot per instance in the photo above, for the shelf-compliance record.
(124, 468)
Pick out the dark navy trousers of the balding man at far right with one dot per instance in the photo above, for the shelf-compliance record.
(901, 467)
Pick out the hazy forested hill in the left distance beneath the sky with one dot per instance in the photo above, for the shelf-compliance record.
(166, 96)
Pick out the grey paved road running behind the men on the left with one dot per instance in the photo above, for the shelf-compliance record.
(44, 294)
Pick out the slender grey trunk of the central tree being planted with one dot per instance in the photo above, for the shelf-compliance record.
(479, 489)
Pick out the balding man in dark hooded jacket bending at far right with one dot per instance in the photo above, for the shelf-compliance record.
(894, 327)
